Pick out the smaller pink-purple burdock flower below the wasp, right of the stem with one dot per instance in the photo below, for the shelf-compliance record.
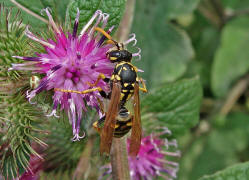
(153, 159)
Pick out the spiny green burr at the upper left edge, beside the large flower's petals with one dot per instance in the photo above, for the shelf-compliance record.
(12, 40)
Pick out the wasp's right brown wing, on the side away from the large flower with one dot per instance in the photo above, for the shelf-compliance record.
(136, 133)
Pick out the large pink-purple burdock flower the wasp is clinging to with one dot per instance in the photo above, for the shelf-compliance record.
(70, 62)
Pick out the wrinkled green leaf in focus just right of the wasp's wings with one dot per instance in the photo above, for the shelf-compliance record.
(175, 105)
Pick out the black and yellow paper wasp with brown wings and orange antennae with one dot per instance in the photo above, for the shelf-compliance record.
(124, 84)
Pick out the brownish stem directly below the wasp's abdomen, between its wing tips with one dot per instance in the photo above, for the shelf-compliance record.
(119, 159)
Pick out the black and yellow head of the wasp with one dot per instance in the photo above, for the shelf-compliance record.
(119, 55)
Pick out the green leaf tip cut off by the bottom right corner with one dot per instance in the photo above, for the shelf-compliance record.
(236, 172)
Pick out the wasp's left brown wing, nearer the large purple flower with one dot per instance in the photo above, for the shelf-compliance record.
(110, 121)
